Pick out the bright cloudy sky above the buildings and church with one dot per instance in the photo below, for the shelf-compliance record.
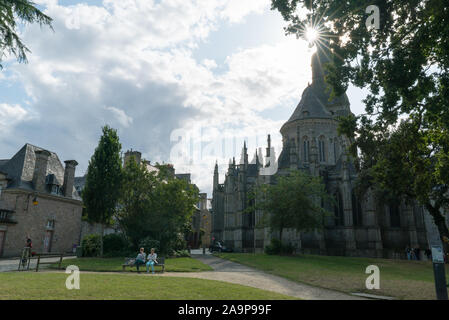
(183, 81)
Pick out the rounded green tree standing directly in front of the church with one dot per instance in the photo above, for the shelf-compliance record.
(294, 202)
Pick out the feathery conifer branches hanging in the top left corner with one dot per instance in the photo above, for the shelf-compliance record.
(12, 12)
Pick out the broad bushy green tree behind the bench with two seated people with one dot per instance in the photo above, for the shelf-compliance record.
(155, 206)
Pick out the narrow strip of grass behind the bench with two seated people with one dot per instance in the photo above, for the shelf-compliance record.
(115, 265)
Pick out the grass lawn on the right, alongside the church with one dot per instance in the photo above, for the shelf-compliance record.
(398, 278)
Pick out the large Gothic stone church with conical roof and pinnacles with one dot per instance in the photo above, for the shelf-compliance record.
(358, 227)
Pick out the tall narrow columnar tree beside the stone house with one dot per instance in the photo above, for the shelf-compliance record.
(103, 181)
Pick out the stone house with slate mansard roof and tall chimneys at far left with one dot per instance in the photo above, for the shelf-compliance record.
(38, 200)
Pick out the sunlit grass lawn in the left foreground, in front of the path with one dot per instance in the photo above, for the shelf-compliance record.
(51, 286)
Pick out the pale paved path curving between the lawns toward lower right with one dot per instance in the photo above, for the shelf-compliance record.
(225, 270)
